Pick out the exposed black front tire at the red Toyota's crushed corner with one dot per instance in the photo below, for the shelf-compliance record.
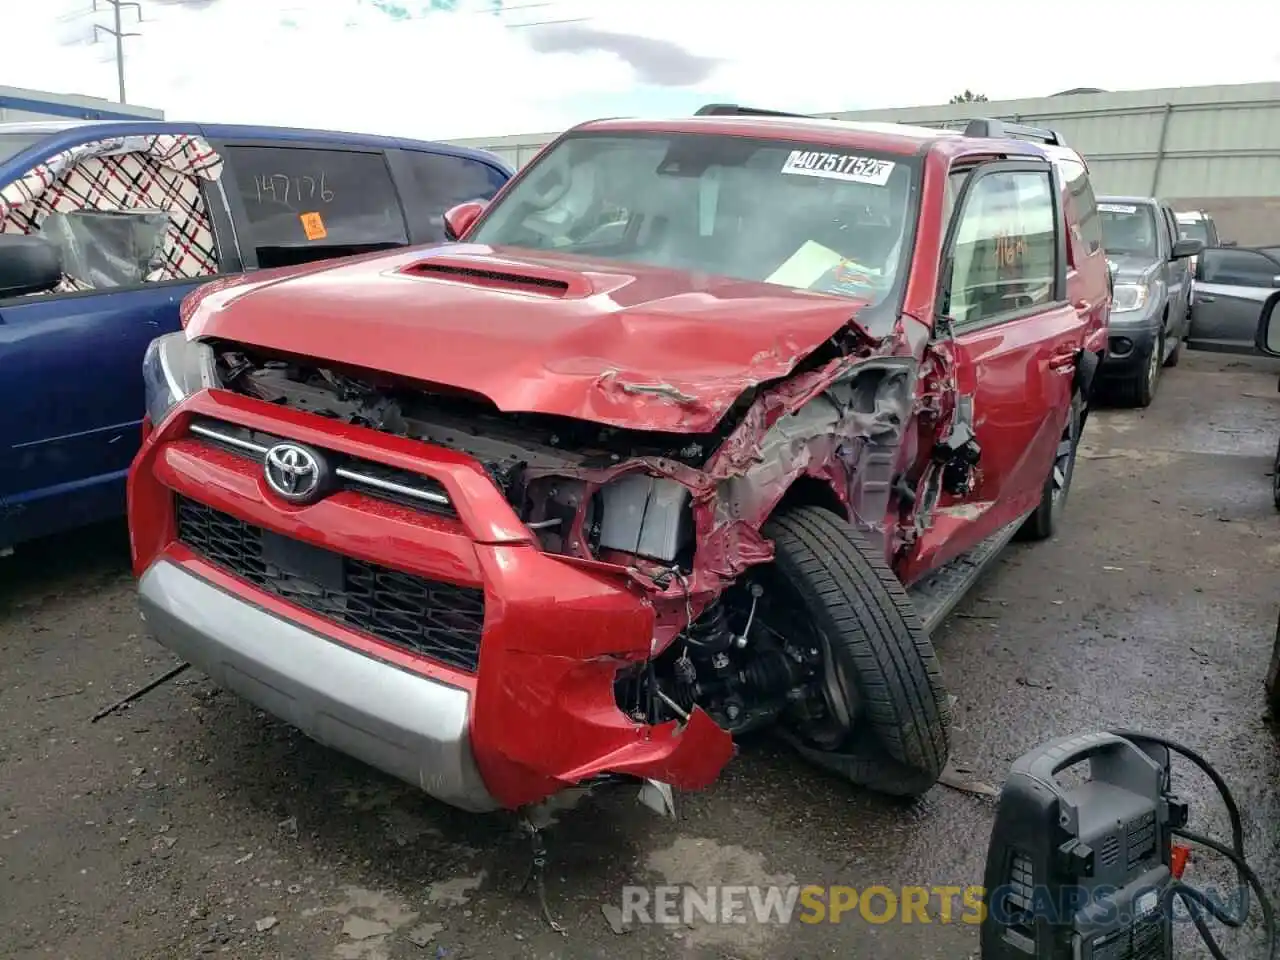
(898, 705)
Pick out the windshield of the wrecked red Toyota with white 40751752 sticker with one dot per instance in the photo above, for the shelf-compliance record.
(830, 220)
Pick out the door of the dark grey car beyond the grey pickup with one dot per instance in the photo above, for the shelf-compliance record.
(1232, 285)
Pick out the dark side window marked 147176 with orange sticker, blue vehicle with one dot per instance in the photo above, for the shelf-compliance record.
(305, 204)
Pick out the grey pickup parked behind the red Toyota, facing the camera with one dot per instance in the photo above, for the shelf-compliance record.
(1153, 294)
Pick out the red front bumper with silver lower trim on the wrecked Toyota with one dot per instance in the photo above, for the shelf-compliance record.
(532, 715)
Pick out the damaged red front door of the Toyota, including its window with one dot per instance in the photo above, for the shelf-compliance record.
(1014, 349)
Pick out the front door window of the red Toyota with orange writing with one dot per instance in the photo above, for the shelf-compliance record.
(1005, 254)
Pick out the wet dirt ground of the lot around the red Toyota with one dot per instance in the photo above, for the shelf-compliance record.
(185, 825)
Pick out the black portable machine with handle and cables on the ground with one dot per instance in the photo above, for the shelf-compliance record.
(1091, 872)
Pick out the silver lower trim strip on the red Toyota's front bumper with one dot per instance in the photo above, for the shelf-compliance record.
(403, 724)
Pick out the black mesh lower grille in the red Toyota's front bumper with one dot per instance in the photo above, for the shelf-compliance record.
(437, 620)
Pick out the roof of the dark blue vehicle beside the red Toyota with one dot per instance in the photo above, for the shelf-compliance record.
(68, 132)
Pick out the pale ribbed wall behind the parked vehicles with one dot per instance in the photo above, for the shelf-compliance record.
(1214, 149)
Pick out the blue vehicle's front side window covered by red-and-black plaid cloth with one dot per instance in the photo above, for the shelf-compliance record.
(122, 213)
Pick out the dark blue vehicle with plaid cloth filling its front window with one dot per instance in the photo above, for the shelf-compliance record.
(140, 214)
